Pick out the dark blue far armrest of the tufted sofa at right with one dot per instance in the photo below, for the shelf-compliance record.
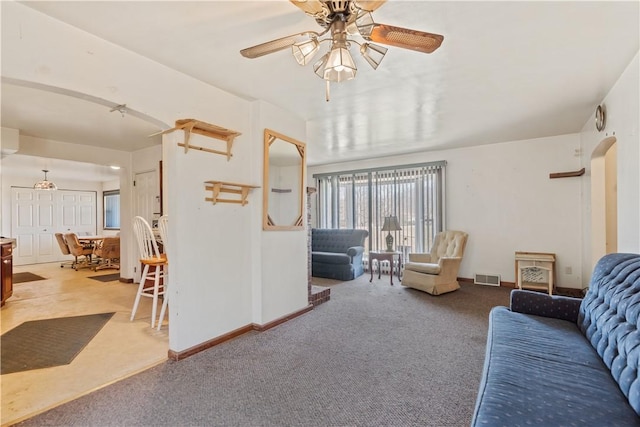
(554, 306)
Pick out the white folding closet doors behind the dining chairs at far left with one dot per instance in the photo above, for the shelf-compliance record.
(38, 215)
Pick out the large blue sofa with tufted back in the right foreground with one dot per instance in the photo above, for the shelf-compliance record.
(559, 361)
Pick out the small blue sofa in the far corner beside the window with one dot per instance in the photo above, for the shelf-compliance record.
(337, 253)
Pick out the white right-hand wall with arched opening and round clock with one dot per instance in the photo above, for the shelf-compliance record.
(623, 120)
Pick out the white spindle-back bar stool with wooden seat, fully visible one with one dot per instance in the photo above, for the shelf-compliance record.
(150, 256)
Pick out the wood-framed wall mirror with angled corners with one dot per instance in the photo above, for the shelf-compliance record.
(284, 166)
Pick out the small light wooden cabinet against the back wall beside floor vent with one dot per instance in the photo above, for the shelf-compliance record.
(535, 271)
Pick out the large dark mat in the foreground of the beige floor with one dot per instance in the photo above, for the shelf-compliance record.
(45, 343)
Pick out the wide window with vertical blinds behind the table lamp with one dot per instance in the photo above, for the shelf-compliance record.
(363, 198)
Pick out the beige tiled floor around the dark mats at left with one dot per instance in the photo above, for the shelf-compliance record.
(121, 348)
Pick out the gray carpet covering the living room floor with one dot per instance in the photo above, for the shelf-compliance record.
(374, 355)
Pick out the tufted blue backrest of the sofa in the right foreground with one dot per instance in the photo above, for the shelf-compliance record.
(610, 319)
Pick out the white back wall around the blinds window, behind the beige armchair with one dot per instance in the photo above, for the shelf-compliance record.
(502, 196)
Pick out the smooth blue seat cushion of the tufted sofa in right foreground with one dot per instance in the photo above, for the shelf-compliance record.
(543, 371)
